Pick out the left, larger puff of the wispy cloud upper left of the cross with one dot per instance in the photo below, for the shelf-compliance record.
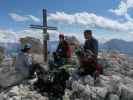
(18, 18)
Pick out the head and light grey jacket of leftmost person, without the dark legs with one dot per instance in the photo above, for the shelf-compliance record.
(24, 60)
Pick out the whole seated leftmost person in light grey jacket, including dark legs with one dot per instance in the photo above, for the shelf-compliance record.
(24, 65)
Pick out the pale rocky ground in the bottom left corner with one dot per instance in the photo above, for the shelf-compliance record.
(21, 92)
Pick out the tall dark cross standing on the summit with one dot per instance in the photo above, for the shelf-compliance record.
(44, 27)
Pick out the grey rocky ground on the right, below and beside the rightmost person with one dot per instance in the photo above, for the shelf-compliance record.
(116, 82)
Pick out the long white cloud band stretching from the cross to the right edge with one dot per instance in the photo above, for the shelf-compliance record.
(90, 19)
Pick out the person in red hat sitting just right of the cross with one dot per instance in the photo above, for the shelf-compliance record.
(62, 54)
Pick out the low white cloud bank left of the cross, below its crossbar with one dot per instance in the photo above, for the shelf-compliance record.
(7, 36)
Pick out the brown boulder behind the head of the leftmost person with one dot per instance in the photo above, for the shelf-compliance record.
(37, 46)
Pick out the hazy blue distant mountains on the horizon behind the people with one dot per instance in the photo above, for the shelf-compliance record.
(122, 46)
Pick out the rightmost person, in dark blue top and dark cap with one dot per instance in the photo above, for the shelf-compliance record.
(87, 56)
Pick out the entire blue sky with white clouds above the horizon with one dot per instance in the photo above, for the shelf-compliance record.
(108, 19)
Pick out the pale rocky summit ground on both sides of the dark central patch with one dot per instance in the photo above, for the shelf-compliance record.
(115, 83)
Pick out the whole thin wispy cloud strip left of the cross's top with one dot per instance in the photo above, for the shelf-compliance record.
(22, 18)
